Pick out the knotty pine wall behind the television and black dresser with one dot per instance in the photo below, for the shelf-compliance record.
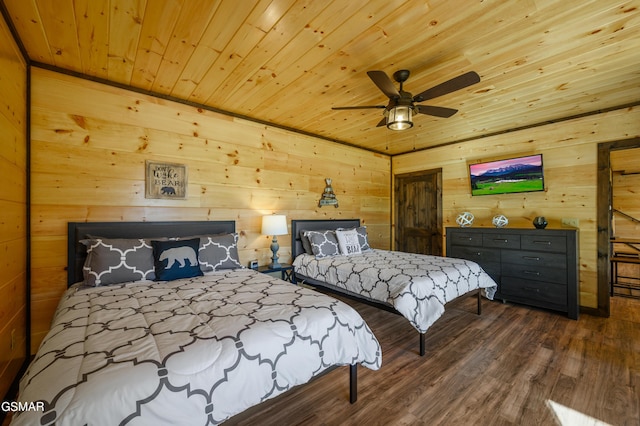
(569, 149)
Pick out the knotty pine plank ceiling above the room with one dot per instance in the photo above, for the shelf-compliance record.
(288, 62)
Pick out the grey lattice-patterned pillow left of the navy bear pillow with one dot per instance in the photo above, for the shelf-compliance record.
(117, 260)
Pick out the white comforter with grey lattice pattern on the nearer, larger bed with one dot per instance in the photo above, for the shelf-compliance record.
(193, 351)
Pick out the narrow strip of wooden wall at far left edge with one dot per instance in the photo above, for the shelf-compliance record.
(13, 208)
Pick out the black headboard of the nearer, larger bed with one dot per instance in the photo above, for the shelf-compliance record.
(77, 252)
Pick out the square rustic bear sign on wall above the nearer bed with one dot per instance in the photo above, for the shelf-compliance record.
(166, 180)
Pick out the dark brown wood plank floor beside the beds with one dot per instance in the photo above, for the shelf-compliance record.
(508, 366)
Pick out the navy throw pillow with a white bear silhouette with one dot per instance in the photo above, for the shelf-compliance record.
(176, 259)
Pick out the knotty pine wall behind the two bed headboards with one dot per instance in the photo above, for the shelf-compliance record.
(89, 146)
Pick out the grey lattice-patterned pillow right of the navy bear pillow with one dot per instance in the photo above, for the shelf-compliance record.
(219, 252)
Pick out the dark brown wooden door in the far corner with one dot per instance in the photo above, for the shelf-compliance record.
(418, 206)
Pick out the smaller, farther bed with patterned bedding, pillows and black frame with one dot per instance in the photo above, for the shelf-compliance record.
(413, 285)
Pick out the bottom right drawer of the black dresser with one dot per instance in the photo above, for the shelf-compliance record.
(545, 293)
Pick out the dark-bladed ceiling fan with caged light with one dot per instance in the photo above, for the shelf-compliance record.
(402, 105)
